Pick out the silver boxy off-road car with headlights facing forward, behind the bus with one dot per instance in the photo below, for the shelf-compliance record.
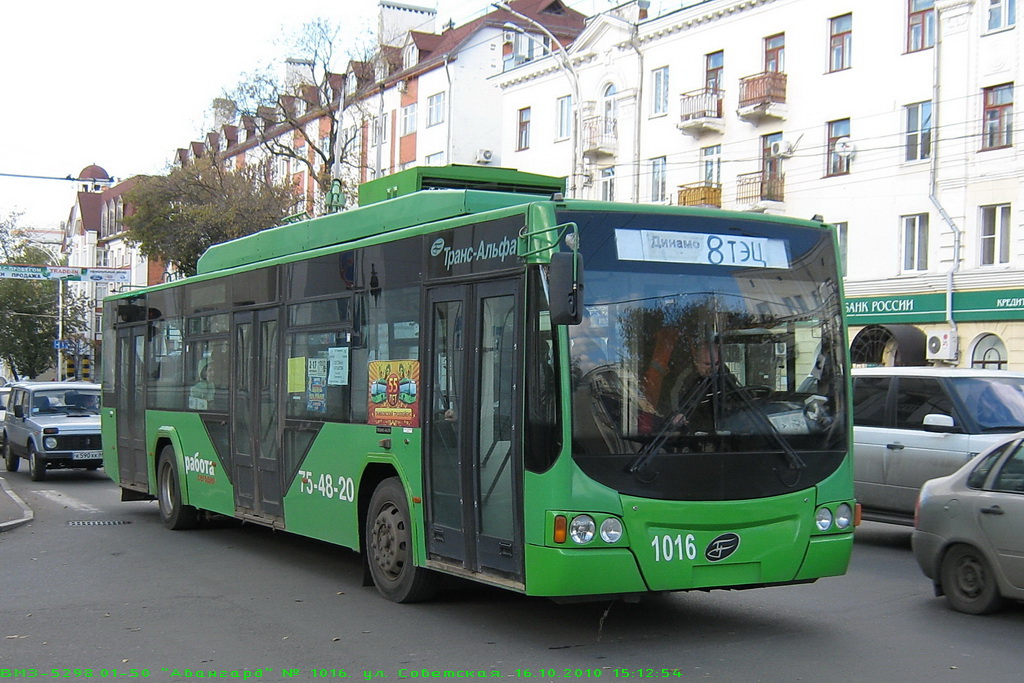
(53, 425)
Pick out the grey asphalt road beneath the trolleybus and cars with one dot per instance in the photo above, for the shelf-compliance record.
(98, 585)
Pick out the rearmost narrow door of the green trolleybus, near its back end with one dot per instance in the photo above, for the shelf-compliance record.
(134, 471)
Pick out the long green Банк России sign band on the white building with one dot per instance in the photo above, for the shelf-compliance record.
(931, 308)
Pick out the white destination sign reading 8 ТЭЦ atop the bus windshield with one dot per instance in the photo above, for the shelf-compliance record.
(703, 248)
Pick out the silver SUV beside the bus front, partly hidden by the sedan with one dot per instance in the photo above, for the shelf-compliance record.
(915, 424)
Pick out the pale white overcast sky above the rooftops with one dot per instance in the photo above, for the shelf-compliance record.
(124, 83)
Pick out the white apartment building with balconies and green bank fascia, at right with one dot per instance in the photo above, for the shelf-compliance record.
(893, 119)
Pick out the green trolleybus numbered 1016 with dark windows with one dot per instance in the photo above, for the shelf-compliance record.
(563, 398)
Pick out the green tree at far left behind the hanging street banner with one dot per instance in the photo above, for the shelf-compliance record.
(28, 318)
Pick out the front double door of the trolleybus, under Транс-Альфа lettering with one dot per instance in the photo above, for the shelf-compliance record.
(473, 457)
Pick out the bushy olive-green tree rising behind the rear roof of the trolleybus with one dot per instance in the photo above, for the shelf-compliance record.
(176, 218)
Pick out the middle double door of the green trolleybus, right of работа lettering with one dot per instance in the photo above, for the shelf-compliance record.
(255, 459)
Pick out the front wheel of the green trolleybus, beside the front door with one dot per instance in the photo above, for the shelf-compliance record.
(390, 547)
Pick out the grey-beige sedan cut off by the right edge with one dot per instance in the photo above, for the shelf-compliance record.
(969, 532)
